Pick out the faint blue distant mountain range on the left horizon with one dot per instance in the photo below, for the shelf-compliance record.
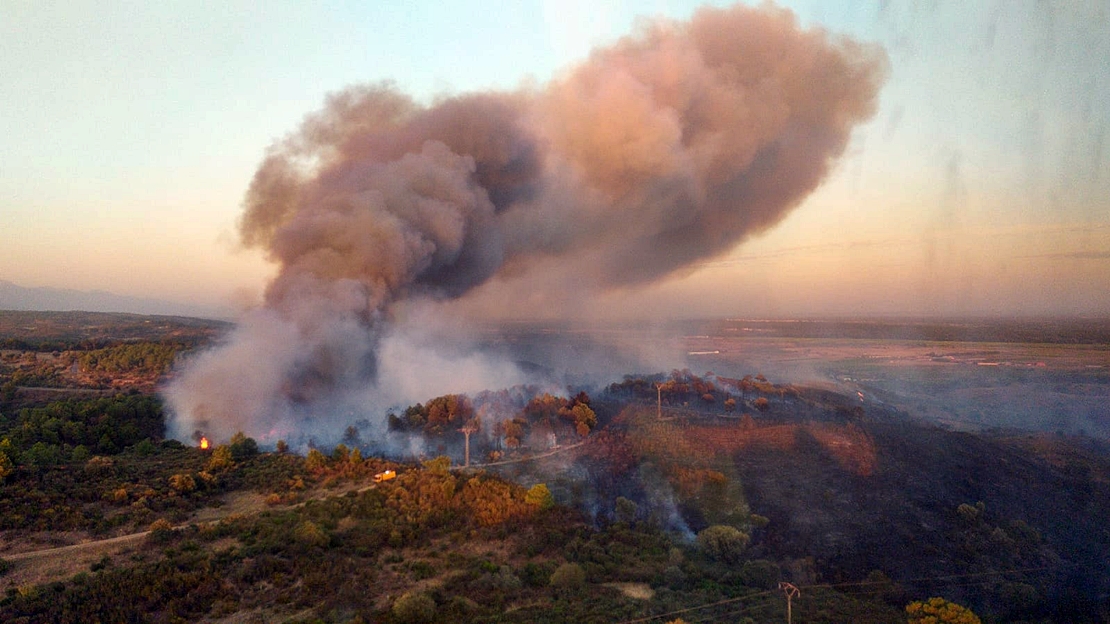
(14, 297)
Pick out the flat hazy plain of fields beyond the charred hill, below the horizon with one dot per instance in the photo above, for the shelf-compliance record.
(1030, 376)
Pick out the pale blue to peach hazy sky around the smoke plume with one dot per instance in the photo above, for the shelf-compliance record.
(129, 134)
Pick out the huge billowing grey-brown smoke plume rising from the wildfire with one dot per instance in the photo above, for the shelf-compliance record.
(667, 149)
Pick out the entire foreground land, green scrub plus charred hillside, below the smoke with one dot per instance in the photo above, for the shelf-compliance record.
(661, 497)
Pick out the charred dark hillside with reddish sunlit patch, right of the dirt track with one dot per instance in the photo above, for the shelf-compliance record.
(842, 494)
